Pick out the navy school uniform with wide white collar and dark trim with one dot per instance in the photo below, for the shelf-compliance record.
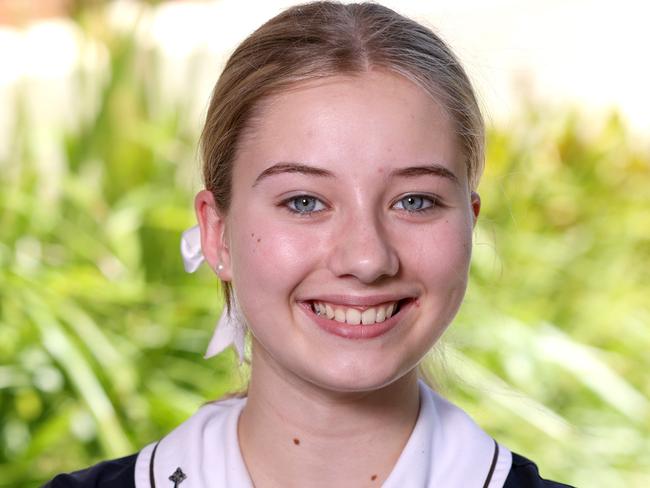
(446, 449)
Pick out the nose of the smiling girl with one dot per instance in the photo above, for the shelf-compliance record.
(363, 249)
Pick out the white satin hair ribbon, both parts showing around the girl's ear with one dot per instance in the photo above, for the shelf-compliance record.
(230, 330)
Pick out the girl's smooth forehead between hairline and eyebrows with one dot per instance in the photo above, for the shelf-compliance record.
(374, 120)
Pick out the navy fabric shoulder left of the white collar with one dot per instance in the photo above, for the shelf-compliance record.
(117, 473)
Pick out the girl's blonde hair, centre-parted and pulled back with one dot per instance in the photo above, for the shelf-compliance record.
(322, 39)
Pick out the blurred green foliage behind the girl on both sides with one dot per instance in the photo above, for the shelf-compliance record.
(101, 331)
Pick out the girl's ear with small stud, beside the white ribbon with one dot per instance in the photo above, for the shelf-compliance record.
(214, 239)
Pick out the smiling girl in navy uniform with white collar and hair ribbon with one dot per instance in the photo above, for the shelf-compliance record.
(342, 151)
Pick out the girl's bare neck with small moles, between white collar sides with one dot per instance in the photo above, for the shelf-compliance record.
(294, 433)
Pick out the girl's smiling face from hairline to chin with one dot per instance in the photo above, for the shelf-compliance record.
(350, 204)
